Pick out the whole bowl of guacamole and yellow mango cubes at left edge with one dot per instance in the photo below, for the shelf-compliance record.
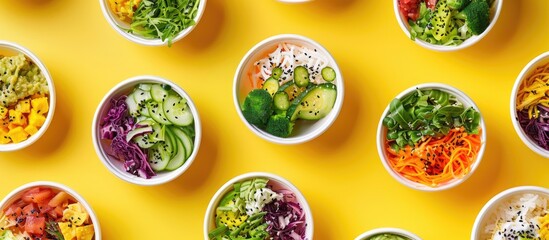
(27, 97)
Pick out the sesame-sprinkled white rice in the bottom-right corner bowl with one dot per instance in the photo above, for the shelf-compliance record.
(518, 216)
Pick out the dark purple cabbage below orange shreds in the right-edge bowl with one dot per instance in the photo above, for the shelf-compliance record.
(536, 128)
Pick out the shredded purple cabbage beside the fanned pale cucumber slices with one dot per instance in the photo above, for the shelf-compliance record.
(115, 126)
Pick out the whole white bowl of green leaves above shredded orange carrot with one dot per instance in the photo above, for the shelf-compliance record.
(431, 137)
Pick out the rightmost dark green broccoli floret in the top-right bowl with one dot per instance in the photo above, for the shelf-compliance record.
(476, 16)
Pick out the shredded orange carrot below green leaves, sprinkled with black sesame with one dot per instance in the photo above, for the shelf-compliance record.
(434, 161)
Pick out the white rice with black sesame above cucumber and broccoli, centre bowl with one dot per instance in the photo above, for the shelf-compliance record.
(288, 56)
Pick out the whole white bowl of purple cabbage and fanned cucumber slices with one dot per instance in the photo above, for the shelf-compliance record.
(146, 130)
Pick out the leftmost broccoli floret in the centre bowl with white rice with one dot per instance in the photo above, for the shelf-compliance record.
(258, 107)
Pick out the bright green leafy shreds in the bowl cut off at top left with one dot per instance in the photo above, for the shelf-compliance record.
(164, 19)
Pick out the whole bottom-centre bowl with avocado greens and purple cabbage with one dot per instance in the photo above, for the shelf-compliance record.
(258, 205)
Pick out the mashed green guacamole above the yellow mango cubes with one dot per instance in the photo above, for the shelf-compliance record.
(19, 78)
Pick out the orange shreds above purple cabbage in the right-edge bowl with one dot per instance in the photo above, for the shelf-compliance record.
(533, 91)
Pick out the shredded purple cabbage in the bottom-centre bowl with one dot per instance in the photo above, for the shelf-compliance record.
(285, 218)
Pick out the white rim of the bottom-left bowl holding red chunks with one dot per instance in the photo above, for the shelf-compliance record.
(16, 194)
